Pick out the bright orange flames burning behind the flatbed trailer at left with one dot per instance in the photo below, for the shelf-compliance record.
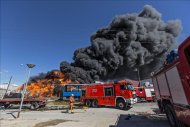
(45, 87)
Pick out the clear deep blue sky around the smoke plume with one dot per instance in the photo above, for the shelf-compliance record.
(46, 32)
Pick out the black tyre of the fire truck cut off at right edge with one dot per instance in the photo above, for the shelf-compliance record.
(171, 115)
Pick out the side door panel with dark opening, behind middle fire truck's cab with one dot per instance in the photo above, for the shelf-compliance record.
(109, 98)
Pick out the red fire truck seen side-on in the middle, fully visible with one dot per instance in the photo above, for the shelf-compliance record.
(120, 94)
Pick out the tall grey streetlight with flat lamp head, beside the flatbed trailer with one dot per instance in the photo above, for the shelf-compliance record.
(30, 66)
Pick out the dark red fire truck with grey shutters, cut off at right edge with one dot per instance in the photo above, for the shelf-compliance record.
(172, 87)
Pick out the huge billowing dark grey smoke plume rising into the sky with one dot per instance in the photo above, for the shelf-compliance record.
(130, 42)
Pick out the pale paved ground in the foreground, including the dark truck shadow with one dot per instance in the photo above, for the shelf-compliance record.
(142, 114)
